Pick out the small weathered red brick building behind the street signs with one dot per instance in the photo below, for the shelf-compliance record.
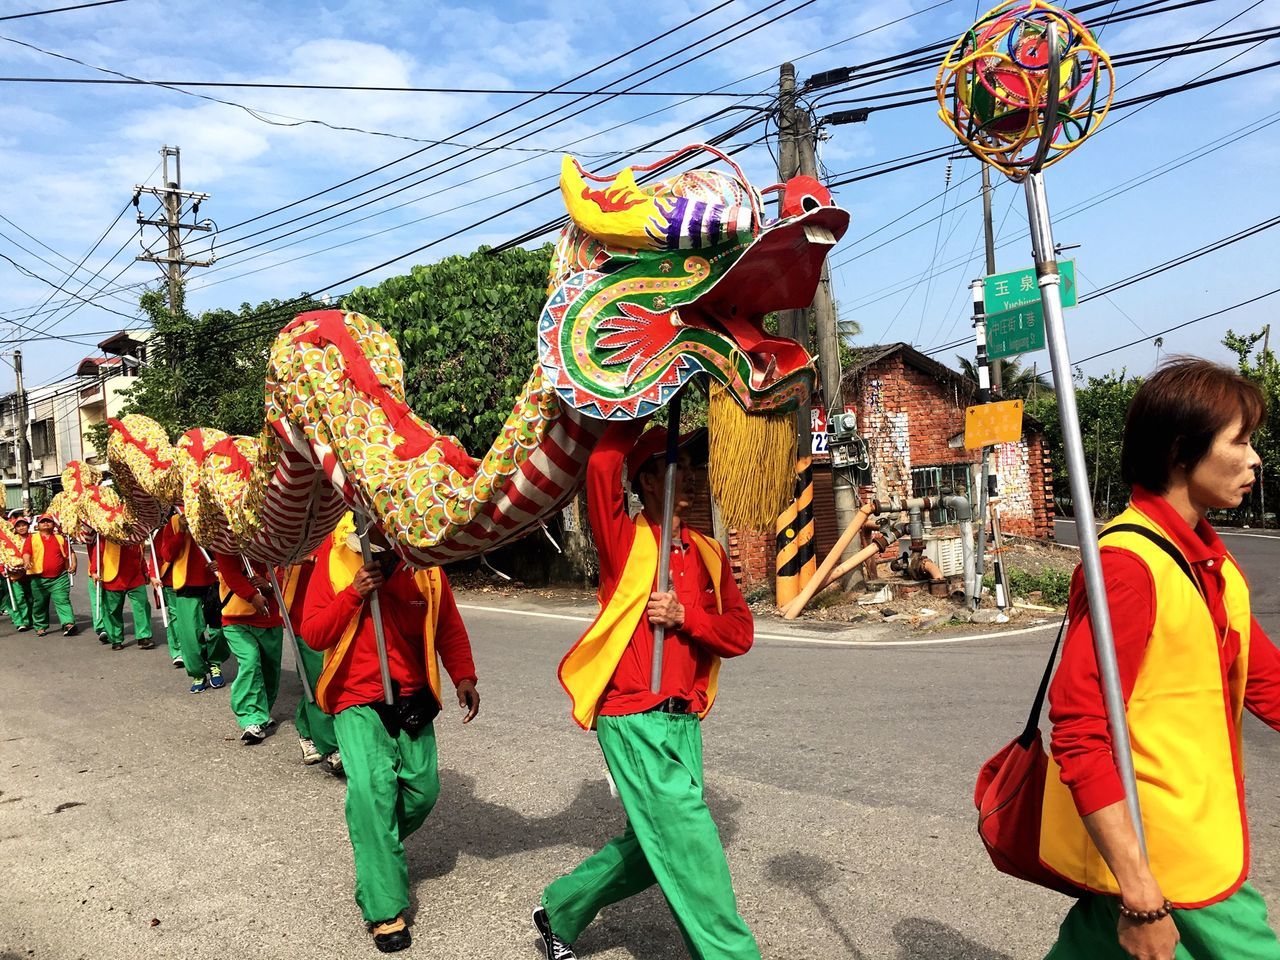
(911, 412)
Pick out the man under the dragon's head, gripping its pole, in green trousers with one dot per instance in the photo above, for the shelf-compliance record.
(652, 740)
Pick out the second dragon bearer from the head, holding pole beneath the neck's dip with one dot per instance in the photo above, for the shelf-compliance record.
(388, 751)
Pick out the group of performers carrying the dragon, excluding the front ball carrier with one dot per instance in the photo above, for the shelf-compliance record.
(221, 606)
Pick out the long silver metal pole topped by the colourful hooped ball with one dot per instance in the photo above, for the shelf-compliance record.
(1100, 615)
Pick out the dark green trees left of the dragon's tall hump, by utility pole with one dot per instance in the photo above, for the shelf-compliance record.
(207, 371)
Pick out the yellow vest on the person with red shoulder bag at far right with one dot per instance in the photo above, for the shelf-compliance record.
(1183, 726)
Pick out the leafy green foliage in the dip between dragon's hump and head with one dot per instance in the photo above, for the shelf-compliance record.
(467, 328)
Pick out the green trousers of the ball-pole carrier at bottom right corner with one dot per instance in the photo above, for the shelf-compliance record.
(1235, 930)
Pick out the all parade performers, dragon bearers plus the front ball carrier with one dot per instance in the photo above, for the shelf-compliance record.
(1192, 659)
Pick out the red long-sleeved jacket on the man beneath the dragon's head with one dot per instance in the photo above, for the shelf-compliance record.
(705, 633)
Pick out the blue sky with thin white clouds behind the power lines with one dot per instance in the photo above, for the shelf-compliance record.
(72, 154)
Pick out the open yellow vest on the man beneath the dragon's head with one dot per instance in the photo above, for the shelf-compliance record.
(588, 668)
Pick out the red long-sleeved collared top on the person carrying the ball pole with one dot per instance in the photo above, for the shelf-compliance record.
(1081, 740)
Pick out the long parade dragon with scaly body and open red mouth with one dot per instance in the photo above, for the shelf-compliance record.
(340, 436)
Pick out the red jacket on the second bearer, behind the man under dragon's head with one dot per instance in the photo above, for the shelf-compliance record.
(359, 679)
